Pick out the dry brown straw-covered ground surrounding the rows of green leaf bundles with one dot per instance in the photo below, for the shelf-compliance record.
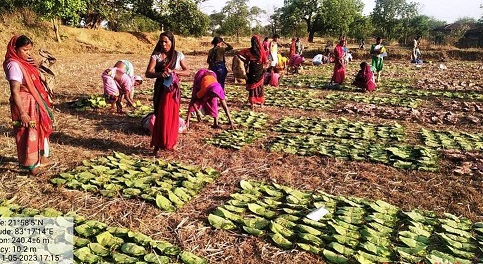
(89, 134)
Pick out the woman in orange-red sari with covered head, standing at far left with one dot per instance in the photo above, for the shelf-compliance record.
(31, 115)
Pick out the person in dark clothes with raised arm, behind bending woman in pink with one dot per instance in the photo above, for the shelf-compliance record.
(216, 59)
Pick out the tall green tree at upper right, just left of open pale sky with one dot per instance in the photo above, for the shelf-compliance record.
(391, 17)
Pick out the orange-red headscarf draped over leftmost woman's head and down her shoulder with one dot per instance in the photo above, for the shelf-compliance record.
(33, 84)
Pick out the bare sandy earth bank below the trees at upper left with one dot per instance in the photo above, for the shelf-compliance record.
(82, 40)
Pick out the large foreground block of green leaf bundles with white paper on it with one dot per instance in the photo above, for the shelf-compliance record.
(353, 231)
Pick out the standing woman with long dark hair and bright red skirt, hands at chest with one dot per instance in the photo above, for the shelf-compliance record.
(165, 65)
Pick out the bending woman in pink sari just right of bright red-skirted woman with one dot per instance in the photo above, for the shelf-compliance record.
(206, 92)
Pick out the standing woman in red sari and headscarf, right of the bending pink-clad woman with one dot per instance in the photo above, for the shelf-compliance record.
(256, 57)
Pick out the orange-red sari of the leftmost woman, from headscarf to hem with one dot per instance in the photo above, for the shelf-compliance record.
(35, 103)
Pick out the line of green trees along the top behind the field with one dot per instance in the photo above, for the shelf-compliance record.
(398, 20)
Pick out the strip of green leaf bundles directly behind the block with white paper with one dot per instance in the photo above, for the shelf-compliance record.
(397, 155)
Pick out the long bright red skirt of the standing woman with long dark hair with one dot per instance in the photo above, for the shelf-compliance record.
(165, 130)
